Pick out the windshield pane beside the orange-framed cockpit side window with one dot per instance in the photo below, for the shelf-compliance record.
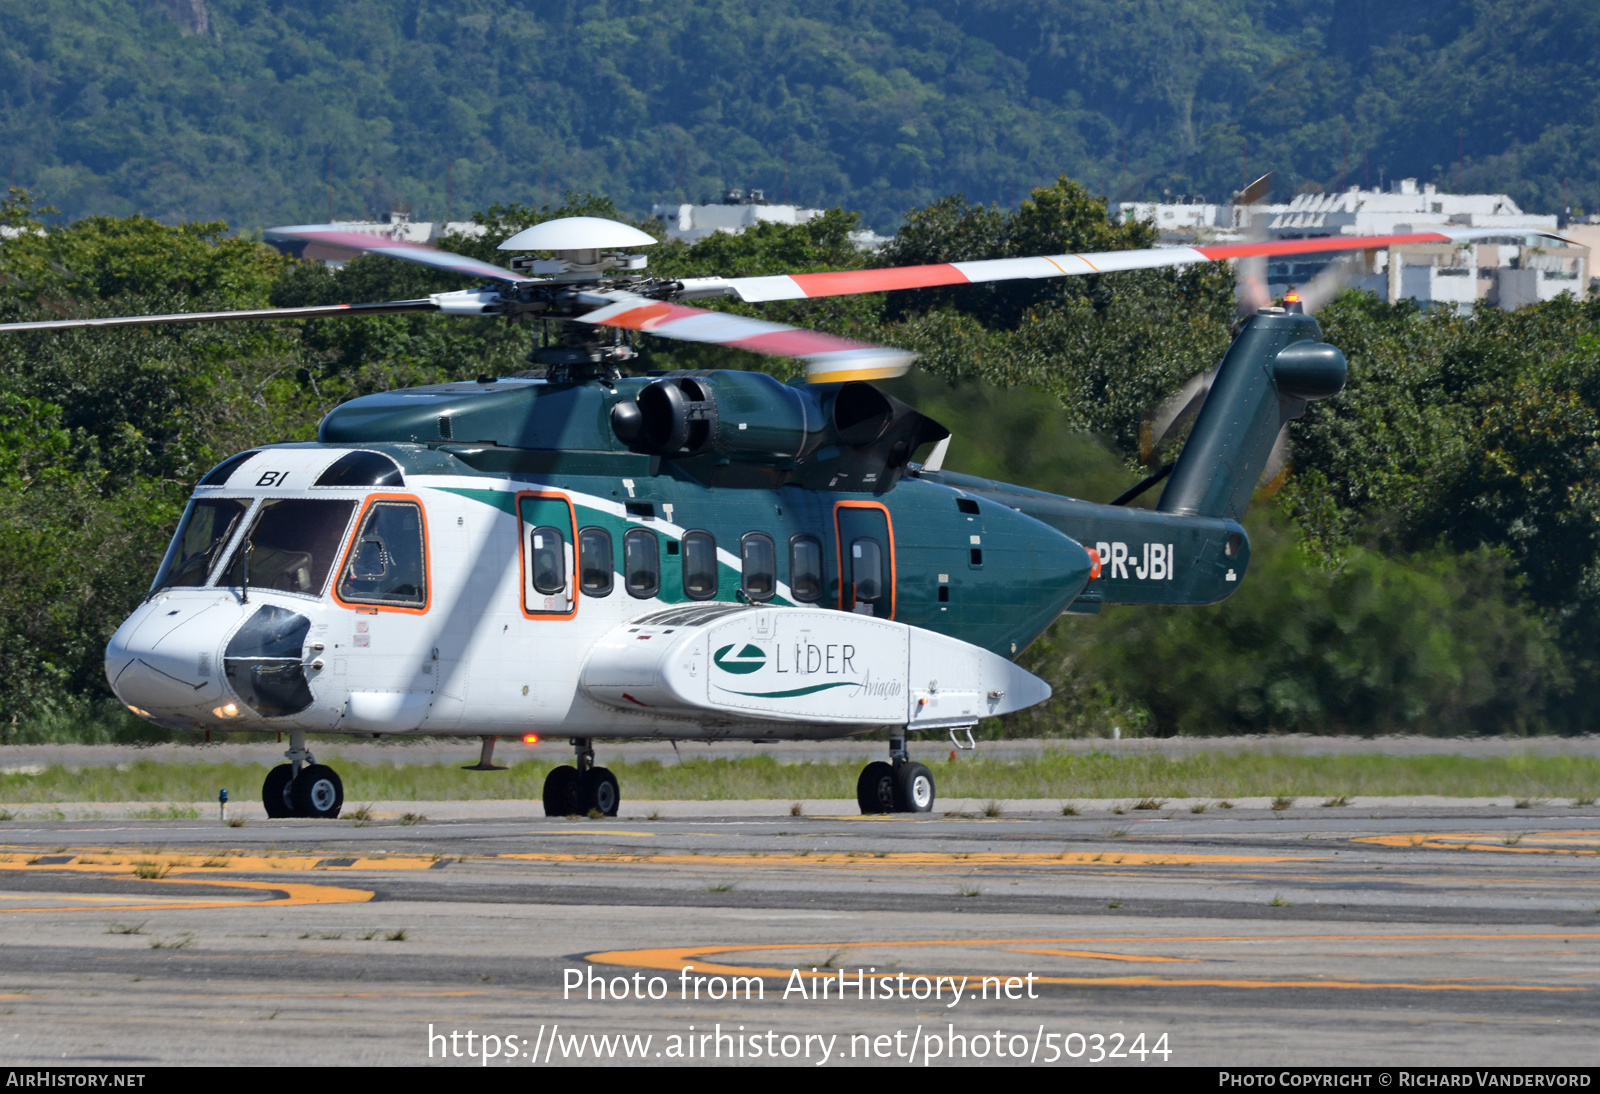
(292, 546)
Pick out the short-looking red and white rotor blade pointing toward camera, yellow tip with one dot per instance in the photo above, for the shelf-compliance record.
(828, 359)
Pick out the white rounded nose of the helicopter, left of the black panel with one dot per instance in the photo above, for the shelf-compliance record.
(164, 660)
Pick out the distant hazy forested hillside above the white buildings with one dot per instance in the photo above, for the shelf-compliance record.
(279, 113)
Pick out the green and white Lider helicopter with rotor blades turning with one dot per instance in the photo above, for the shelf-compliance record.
(695, 556)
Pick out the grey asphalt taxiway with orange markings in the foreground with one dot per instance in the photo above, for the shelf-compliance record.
(1375, 933)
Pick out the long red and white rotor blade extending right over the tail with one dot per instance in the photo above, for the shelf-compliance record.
(801, 287)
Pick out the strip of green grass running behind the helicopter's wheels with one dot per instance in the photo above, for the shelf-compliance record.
(1055, 777)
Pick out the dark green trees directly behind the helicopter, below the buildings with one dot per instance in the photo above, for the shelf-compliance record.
(1433, 567)
